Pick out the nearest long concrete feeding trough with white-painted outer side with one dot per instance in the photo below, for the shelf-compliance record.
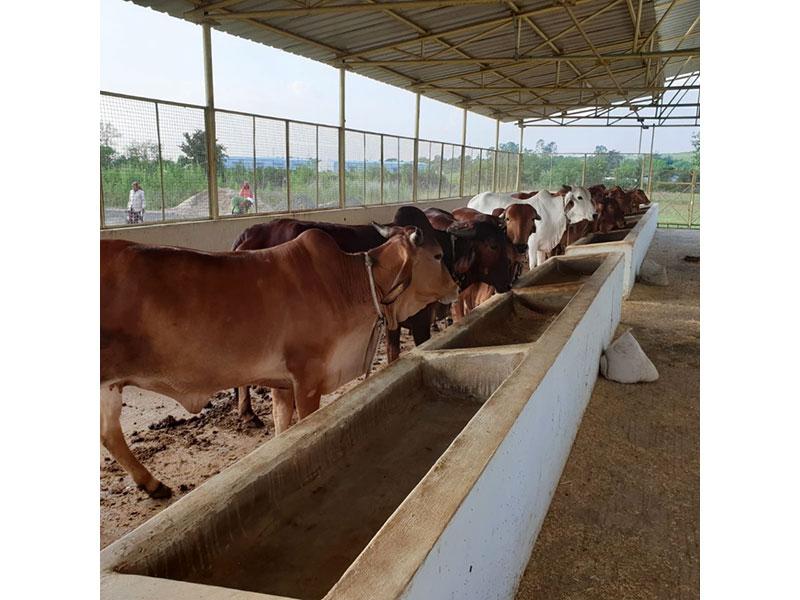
(430, 479)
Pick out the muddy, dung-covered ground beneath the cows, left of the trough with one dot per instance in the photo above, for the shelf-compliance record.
(183, 450)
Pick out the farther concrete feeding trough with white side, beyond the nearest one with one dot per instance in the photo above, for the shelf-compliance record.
(633, 243)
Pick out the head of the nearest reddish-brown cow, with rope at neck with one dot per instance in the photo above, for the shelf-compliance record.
(409, 272)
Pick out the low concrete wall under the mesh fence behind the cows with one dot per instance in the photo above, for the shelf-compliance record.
(219, 235)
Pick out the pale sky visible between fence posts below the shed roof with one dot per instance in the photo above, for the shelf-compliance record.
(147, 53)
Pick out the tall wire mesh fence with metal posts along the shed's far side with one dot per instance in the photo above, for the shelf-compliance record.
(267, 165)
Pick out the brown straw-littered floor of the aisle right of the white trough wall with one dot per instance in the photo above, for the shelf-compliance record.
(624, 521)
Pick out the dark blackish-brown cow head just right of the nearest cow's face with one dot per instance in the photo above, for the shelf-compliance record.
(482, 254)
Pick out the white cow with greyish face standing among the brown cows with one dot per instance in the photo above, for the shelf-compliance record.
(557, 213)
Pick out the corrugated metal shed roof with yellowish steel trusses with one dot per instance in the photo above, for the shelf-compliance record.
(490, 56)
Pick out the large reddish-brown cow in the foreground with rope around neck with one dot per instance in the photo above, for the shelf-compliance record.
(165, 323)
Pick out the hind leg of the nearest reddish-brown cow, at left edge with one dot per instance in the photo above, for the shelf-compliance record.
(113, 439)
